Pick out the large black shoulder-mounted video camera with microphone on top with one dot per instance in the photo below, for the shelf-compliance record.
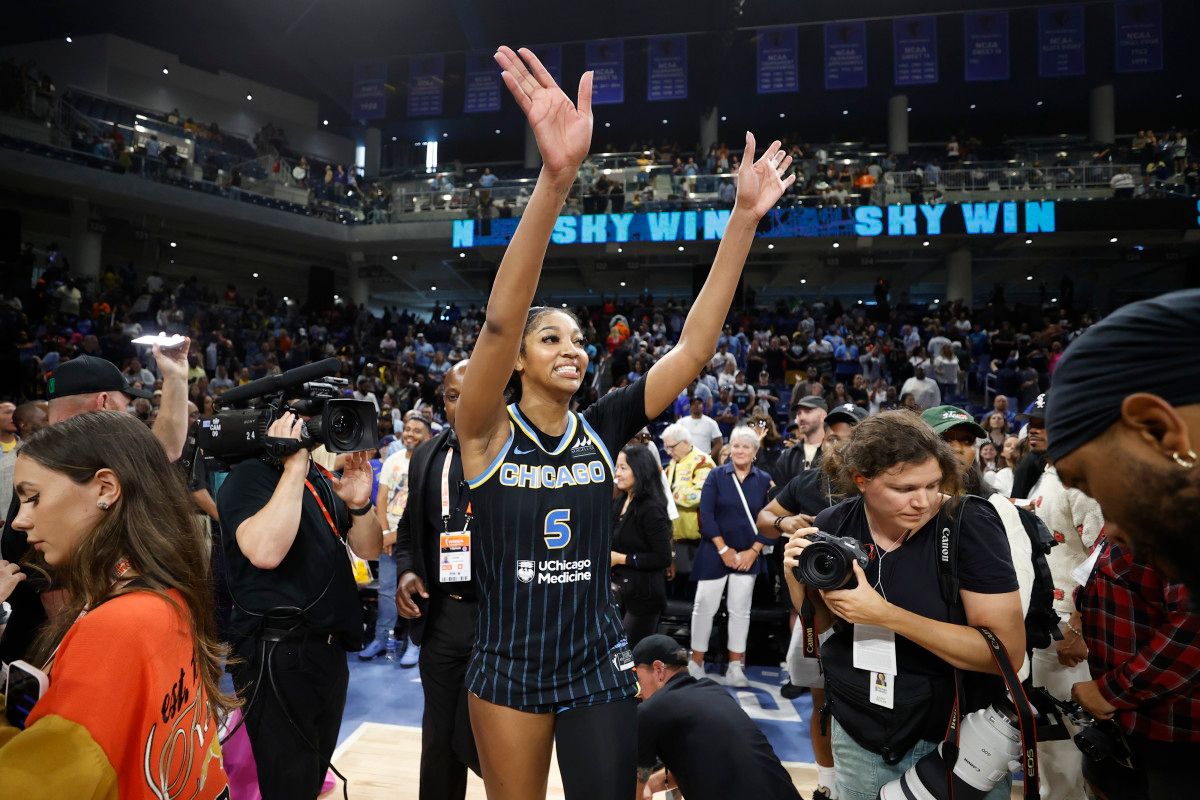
(238, 431)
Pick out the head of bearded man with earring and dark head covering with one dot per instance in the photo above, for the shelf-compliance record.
(1131, 442)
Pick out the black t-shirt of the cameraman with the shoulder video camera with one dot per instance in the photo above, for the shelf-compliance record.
(314, 576)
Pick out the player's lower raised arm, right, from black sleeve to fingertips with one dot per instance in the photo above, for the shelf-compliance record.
(760, 187)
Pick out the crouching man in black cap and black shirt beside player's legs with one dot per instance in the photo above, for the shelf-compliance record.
(711, 749)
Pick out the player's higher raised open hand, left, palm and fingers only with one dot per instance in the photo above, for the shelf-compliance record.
(563, 129)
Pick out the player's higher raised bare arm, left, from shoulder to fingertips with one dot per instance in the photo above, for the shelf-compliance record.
(565, 133)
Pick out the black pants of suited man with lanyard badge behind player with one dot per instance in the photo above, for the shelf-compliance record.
(448, 747)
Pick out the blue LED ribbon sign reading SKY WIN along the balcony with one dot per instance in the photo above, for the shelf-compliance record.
(899, 220)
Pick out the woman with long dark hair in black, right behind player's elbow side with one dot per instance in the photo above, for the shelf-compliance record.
(641, 542)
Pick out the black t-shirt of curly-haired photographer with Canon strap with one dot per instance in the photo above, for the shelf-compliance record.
(910, 574)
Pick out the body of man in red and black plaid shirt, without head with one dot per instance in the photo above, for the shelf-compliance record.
(1144, 652)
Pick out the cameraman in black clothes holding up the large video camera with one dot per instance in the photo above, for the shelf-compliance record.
(286, 528)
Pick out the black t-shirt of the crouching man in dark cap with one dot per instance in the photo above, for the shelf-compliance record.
(712, 748)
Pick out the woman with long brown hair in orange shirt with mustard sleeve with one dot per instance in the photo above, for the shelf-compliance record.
(134, 661)
